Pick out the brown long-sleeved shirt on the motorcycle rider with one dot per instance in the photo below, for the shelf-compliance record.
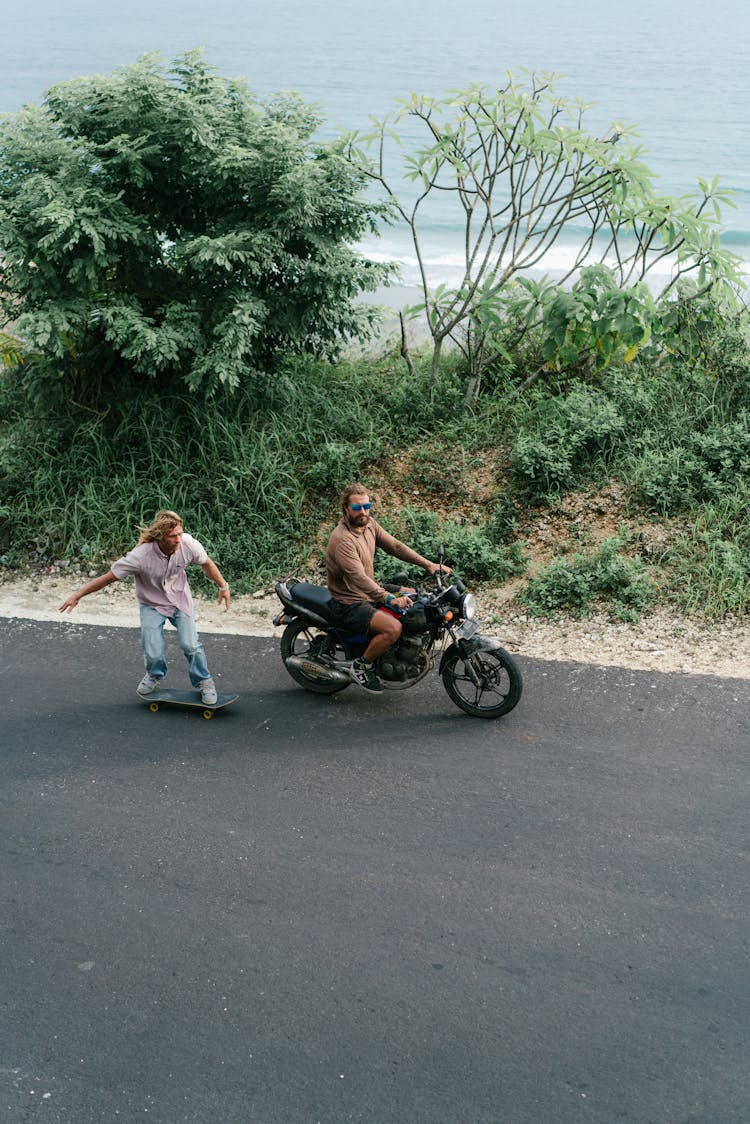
(350, 563)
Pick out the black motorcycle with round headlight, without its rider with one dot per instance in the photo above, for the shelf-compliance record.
(480, 676)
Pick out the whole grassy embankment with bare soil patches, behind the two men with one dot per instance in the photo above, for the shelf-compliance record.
(256, 476)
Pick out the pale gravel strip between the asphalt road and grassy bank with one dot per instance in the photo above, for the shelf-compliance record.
(661, 642)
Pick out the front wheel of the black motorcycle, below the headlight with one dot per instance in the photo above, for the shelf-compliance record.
(500, 685)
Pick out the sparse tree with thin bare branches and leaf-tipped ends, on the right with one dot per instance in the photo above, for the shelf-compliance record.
(521, 171)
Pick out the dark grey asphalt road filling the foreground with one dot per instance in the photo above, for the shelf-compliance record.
(368, 909)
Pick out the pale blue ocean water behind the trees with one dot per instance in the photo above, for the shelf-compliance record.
(675, 70)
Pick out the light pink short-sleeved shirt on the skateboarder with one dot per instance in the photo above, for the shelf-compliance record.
(160, 579)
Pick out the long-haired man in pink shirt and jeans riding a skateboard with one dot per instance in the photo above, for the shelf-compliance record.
(159, 564)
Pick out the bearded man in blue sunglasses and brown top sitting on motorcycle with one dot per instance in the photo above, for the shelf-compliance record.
(357, 599)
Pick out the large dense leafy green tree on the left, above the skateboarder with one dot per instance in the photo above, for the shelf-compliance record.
(162, 224)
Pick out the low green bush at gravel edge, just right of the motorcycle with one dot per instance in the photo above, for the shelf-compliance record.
(577, 583)
